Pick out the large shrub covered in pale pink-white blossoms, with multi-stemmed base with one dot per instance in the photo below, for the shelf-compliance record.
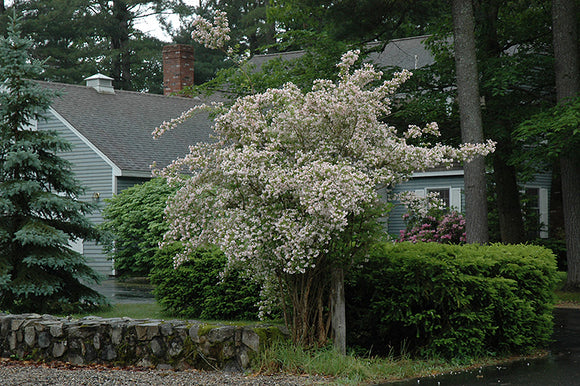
(288, 189)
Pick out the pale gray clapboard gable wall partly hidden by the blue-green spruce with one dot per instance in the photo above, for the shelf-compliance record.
(96, 176)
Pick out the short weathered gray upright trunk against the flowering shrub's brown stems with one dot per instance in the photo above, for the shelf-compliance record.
(337, 304)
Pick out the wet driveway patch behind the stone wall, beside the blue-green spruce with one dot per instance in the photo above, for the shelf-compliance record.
(126, 291)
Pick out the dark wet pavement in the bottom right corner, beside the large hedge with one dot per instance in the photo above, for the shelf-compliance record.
(561, 367)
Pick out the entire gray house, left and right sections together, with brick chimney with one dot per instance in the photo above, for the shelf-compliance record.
(112, 147)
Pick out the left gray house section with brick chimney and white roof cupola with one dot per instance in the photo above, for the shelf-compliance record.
(110, 132)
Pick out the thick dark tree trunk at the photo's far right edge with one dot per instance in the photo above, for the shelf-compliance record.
(567, 70)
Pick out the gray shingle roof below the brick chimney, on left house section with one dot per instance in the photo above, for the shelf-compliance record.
(120, 124)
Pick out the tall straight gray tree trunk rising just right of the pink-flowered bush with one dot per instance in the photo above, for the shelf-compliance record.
(476, 224)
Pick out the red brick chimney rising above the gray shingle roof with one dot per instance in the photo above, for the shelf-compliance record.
(177, 67)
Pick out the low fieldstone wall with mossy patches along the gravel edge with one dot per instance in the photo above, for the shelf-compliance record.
(169, 344)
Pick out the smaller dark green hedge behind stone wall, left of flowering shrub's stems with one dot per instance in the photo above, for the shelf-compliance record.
(196, 290)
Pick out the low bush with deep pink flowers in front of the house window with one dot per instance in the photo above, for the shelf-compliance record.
(428, 220)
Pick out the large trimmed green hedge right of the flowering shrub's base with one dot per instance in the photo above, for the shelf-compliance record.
(452, 301)
